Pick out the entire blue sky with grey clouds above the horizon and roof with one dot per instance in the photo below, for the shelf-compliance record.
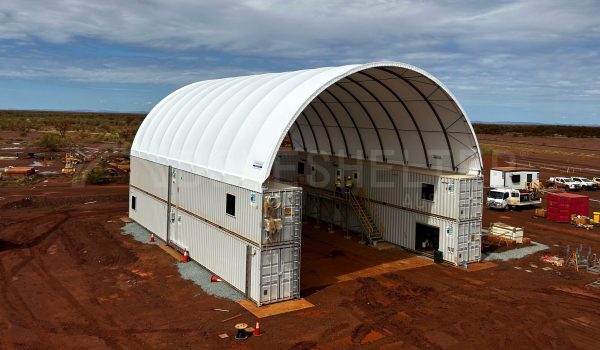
(534, 61)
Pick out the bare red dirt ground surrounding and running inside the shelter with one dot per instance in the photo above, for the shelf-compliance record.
(69, 279)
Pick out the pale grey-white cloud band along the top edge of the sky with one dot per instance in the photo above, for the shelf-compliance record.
(296, 28)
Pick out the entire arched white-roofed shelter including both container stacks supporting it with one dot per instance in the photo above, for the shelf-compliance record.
(208, 173)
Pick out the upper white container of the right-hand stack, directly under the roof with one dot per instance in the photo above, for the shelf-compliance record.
(454, 196)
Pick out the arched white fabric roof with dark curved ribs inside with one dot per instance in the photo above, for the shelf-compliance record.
(231, 129)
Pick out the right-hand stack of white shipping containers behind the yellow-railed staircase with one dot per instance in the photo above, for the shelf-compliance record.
(398, 197)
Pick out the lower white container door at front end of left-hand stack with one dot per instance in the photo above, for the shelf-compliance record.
(280, 278)
